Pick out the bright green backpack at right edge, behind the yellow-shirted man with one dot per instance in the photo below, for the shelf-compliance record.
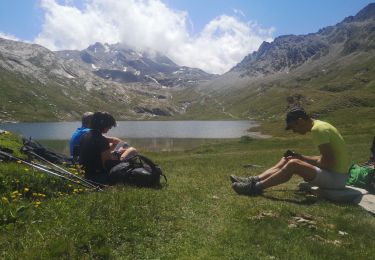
(362, 176)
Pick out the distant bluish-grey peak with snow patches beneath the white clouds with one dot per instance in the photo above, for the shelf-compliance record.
(121, 64)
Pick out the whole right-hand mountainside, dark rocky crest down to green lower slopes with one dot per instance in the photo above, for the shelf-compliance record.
(327, 72)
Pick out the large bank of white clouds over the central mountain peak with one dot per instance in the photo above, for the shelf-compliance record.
(145, 25)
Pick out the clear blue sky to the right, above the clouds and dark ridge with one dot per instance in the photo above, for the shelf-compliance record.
(287, 16)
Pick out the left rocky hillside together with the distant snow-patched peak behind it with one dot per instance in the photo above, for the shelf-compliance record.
(39, 84)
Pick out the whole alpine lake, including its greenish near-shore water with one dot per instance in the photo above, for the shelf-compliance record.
(146, 136)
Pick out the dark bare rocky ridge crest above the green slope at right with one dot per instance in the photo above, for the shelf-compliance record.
(288, 52)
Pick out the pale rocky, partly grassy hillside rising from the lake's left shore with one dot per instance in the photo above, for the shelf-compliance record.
(36, 84)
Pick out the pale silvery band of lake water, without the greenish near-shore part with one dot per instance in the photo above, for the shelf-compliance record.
(138, 129)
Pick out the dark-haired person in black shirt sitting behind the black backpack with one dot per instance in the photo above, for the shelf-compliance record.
(95, 155)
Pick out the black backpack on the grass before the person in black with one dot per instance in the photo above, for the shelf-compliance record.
(137, 170)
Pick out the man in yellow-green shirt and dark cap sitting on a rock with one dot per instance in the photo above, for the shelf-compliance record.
(328, 170)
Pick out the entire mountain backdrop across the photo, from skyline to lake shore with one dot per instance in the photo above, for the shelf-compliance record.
(328, 72)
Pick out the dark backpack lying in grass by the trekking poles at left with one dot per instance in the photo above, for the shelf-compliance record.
(31, 146)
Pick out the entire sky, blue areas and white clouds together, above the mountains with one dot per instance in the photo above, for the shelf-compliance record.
(213, 35)
